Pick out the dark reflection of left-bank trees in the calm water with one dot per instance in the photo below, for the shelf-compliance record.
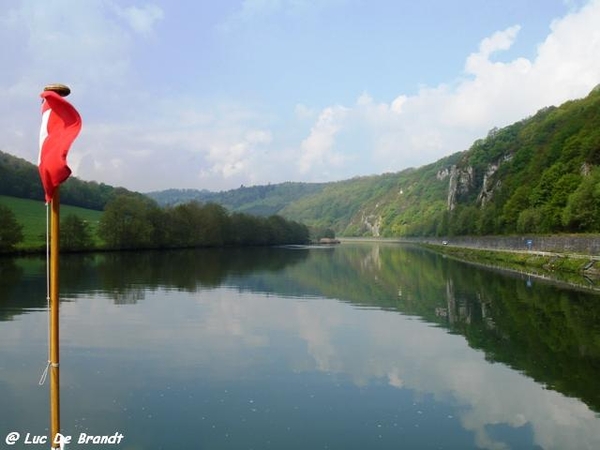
(126, 276)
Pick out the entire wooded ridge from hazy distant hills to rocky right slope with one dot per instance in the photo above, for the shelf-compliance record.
(539, 175)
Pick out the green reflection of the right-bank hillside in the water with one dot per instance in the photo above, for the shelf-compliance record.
(550, 333)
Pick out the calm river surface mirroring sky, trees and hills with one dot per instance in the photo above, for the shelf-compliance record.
(362, 346)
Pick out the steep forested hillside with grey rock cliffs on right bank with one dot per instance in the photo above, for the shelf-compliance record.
(539, 175)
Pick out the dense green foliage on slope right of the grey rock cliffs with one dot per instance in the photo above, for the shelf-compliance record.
(547, 174)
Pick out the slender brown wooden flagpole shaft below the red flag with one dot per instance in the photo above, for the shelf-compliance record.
(54, 335)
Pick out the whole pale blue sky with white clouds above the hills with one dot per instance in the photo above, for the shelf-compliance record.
(215, 94)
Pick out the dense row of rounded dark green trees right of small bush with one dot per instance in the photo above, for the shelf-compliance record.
(135, 221)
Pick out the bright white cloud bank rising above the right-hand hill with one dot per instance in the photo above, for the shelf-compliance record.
(437, 121)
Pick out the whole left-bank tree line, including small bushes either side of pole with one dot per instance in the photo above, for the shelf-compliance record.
(134, 221)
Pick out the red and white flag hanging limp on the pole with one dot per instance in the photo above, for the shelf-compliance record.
(61, 124)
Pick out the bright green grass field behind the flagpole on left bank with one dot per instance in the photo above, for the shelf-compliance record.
(32, 215)
